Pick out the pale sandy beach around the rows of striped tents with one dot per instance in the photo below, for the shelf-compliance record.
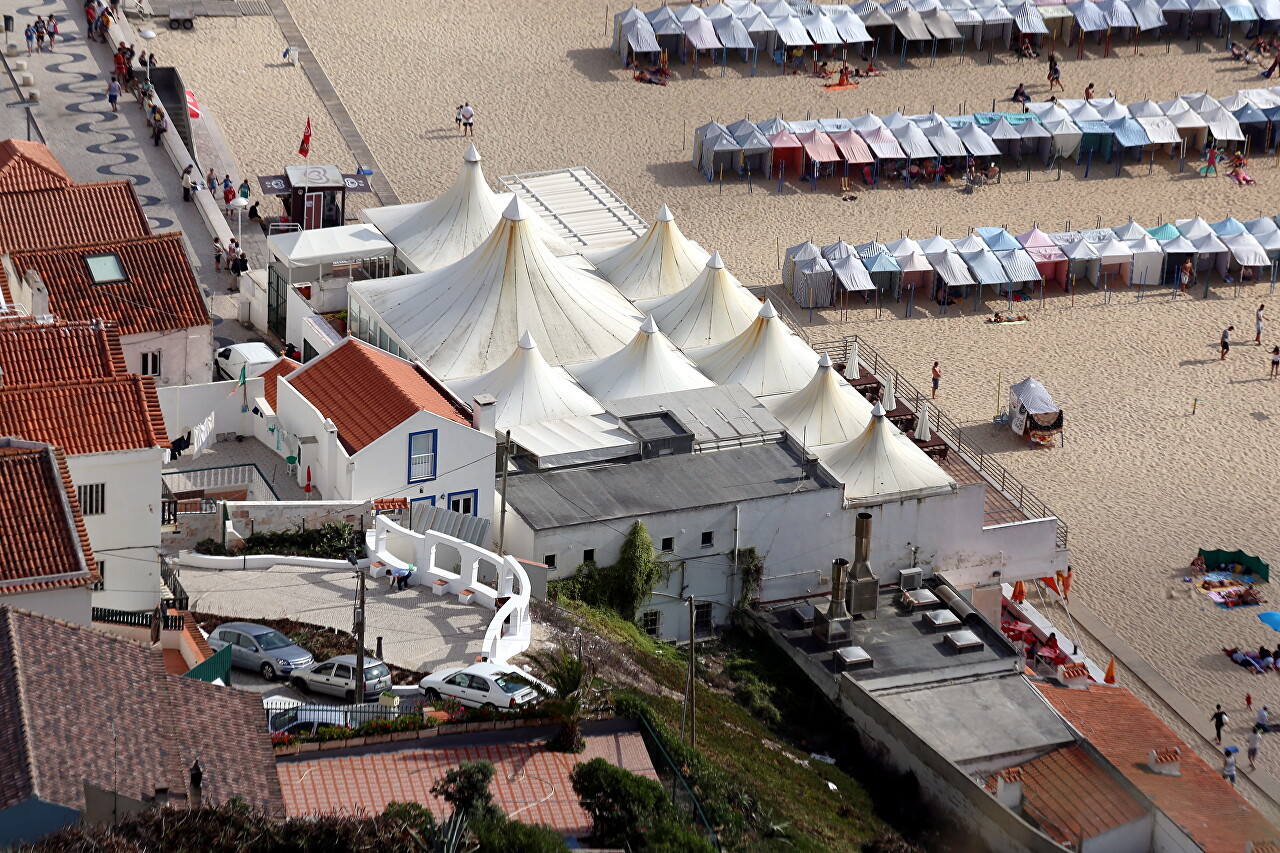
(1141, 481)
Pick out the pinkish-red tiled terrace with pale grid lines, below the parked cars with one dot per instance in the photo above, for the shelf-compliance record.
(529, 779)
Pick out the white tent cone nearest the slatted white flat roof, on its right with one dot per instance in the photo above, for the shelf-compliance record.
(657, 263)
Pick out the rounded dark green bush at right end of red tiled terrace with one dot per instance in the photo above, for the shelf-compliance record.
(621, 805)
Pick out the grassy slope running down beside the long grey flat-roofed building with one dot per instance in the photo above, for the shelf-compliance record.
(790, 787)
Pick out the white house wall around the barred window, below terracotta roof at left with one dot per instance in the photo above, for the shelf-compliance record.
(126, 539)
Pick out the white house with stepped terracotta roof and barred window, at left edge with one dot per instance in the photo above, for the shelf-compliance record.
(67, 385)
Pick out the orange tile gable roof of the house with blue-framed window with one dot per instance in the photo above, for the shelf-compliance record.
(367, 393)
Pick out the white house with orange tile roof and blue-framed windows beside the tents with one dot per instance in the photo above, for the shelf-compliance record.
(369, 425)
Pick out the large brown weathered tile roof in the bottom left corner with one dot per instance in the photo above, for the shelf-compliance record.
(134, 728)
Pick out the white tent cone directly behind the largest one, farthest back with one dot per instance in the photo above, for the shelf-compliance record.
(431, 235)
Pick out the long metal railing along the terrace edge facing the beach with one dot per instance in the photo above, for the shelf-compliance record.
(994, 473)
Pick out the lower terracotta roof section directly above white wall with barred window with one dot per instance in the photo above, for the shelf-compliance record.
(89, 417)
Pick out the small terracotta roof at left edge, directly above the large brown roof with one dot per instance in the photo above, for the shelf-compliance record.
(54, 554)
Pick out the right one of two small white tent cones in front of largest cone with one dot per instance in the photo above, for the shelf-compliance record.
(648, 366)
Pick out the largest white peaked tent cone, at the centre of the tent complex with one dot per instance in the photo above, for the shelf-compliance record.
(467, 318)
